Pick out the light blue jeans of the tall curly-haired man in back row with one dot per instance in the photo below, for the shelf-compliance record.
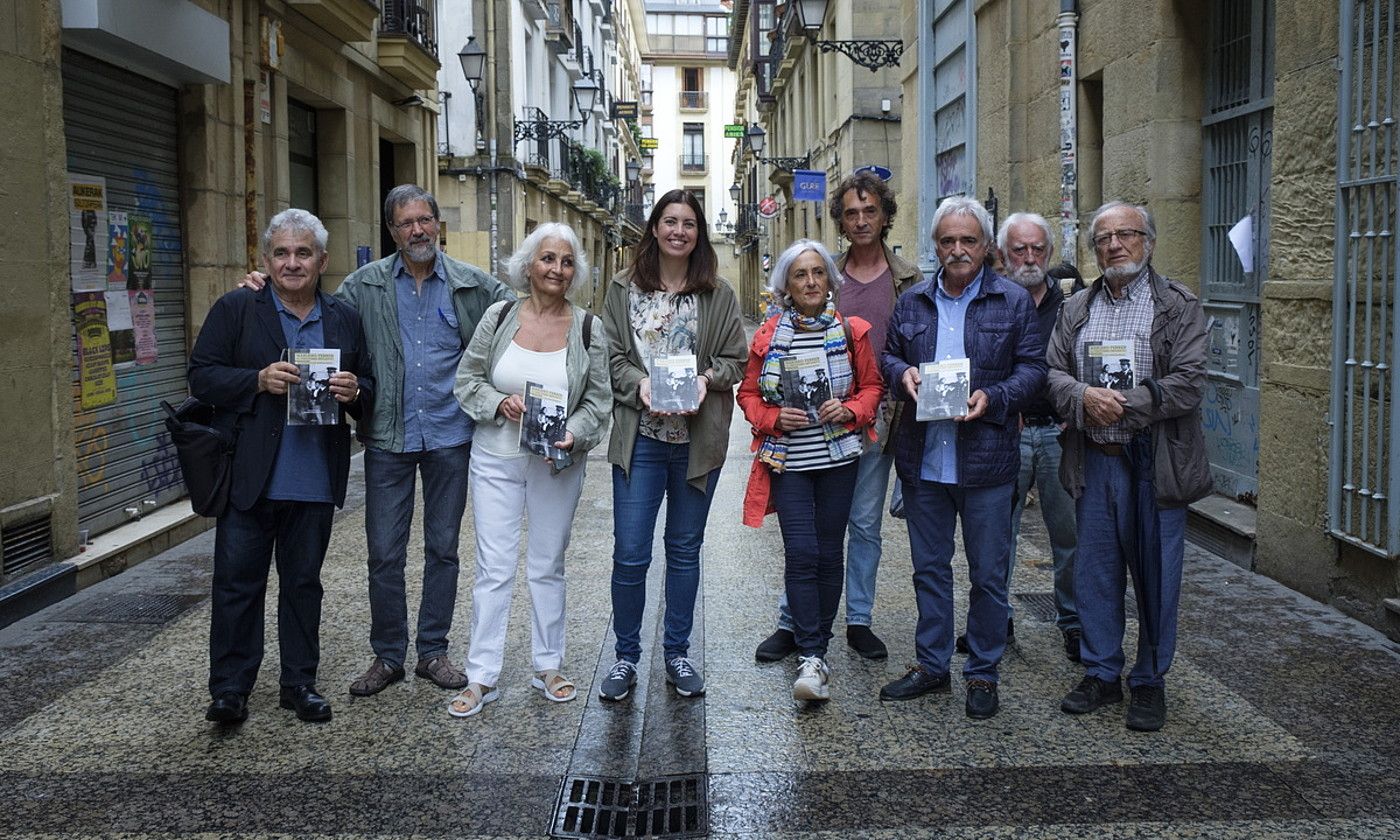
(863, 544)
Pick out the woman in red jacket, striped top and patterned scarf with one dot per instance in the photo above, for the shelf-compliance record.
(811, 391)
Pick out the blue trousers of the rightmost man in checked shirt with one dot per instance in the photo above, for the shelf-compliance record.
(1107, 528)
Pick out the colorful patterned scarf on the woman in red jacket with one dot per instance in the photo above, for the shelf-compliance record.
(841, 443)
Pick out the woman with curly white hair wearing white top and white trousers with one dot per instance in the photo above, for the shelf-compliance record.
(547, 341)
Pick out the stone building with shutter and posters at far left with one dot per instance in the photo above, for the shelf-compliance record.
(167, 149)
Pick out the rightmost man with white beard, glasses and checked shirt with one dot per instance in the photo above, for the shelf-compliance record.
(1123, 437)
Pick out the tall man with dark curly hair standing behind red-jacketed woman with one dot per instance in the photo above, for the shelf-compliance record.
(871, 278)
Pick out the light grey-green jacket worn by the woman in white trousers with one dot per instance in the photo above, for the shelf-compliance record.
(590, 394)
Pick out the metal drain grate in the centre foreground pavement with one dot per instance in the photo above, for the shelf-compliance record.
(670, 807)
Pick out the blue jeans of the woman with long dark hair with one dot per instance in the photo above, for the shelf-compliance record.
(659, 471)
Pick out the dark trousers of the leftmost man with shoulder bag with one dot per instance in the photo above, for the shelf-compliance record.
(244, 545)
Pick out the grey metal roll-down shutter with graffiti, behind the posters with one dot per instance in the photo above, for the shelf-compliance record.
(124, 128)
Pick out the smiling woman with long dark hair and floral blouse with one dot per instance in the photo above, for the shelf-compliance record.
(670, 303)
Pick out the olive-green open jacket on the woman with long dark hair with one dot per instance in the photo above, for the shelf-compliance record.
(723, 351)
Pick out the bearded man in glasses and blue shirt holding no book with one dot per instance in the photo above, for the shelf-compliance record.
(419, 309)
